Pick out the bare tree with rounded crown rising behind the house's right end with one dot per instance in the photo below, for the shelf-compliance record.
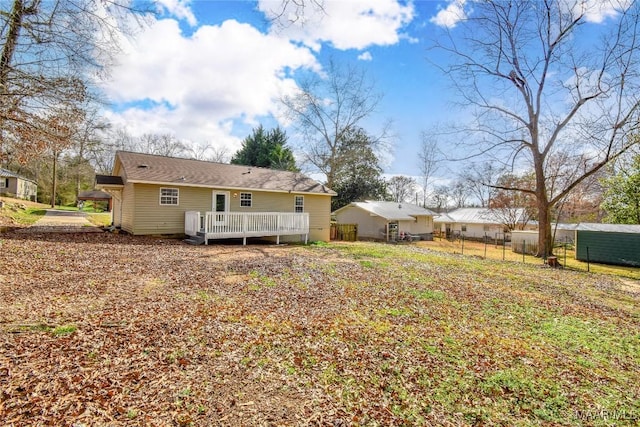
(325, 110)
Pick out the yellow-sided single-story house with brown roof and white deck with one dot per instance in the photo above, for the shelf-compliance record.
(158, 195)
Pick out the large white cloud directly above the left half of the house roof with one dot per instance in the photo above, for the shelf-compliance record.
(196, 87)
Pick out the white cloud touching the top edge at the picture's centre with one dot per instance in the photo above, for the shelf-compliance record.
(344, 24)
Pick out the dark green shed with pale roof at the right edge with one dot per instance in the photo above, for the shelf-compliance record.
(617, 244)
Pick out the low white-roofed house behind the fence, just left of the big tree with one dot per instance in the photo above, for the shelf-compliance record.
(476, 223)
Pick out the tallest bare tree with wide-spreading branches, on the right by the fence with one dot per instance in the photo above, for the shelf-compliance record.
(538, 90)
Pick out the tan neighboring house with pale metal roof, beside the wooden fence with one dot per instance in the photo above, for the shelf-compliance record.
(387, 220)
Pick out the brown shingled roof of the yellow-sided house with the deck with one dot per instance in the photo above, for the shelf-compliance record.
(170, 170)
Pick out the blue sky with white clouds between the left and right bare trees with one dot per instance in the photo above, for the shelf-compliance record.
(208, 71)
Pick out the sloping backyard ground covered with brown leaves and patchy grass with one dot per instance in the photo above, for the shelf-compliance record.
(102, 329)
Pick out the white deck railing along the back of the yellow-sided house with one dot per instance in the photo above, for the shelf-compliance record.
(218, 225)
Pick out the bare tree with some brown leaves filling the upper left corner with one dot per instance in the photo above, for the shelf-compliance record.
(51, 53)
